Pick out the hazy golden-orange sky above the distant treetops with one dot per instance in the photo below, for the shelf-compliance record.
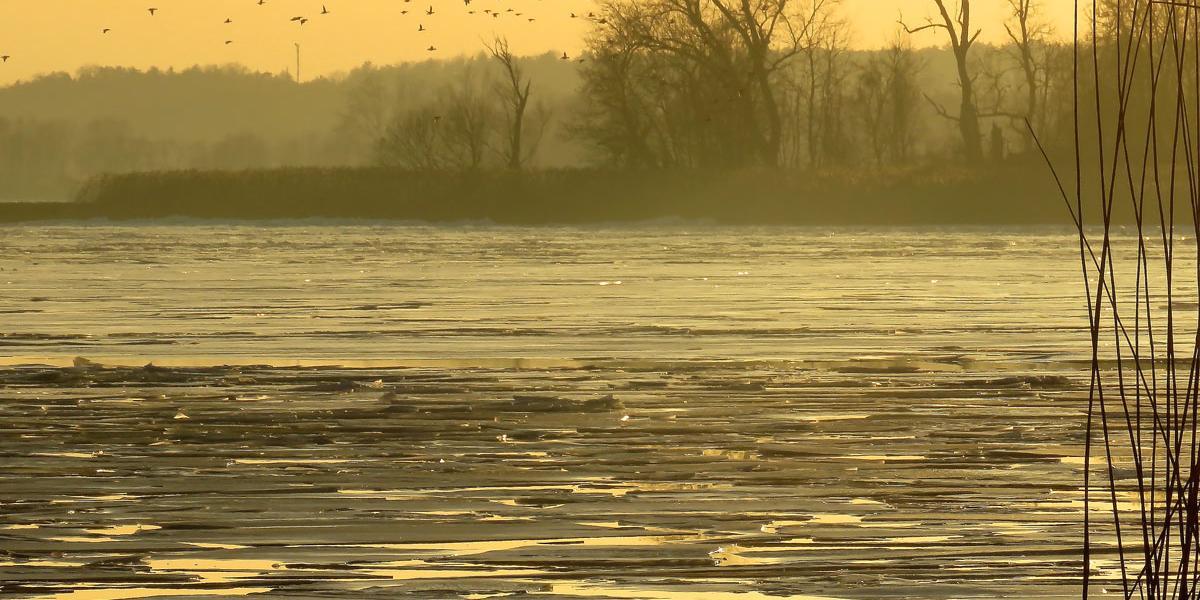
(64, 35)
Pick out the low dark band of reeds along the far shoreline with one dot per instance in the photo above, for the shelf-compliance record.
(1013, 195)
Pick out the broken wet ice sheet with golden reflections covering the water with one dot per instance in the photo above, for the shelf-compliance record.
(488, 412)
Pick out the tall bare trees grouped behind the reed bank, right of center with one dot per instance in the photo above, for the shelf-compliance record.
(775, 83)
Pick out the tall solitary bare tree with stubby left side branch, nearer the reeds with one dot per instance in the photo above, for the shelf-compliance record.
(963, 39)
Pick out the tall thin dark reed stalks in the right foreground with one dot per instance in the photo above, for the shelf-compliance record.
(1138, 143)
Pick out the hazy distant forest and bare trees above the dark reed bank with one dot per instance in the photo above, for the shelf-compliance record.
(663, 85)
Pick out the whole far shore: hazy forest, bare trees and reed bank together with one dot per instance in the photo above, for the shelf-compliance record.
(670, 110)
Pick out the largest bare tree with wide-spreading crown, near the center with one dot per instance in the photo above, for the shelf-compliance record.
(728, 56)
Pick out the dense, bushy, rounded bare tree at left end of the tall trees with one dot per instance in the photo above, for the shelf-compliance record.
(685, 87)
